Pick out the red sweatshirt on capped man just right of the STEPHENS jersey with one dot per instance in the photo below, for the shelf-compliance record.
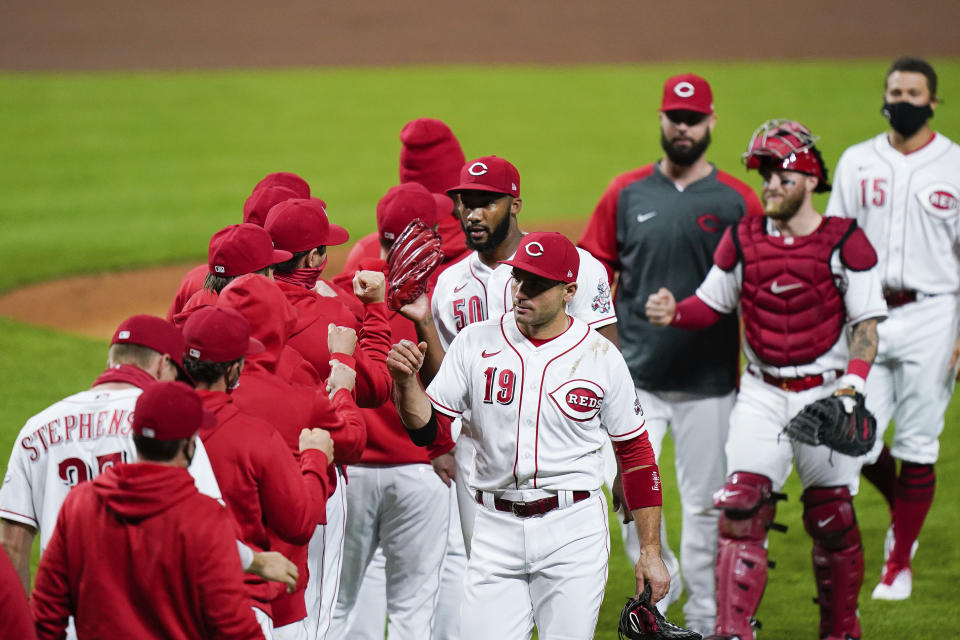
(267, 492)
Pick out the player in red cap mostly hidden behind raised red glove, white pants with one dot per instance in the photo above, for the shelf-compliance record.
(393, 490)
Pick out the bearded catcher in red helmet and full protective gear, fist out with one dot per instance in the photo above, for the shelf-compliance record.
(806, 286)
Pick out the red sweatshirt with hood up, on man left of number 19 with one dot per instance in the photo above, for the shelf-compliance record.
(288, 407)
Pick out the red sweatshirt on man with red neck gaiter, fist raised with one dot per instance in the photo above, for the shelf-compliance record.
(309, 337)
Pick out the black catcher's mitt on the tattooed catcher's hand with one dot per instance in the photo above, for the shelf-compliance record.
(841, 422)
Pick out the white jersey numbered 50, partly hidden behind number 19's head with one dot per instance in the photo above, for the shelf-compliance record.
(469, 291)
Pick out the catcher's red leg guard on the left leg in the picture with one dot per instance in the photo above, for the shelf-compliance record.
(747, 504)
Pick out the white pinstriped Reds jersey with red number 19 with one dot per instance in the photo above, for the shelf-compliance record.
(538, 415)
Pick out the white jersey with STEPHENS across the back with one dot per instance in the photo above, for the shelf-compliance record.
(71, 442)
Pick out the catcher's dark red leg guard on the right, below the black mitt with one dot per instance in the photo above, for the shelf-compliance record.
(829, 518)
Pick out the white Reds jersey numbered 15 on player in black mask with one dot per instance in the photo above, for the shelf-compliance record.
(909, 207)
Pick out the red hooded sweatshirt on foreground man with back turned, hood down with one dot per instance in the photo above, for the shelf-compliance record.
(139, 553)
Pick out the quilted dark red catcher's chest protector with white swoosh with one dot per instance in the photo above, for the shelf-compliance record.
(792, 309)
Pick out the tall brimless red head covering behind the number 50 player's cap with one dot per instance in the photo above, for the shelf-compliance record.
(430, 155)
